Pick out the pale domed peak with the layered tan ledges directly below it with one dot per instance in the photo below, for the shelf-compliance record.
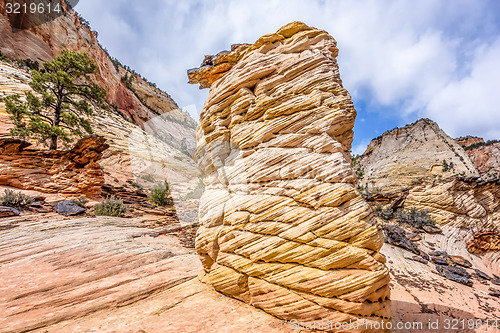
(407, 164)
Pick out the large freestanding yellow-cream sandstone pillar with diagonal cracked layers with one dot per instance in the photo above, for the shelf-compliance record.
(283, 227)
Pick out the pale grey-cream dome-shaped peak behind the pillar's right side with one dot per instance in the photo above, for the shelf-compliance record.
(408, 156)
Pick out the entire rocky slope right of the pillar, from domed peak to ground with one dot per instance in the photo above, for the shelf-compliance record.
(404, 169)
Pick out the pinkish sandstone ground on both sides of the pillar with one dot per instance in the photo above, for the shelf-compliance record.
(108, 274)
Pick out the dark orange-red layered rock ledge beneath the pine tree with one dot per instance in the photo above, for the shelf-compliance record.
(75, 171)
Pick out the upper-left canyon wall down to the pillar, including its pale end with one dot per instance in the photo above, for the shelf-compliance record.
(140, 101)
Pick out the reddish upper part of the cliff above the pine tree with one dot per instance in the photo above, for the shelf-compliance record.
(45, 41)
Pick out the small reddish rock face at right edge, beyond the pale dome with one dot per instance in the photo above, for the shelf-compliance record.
(484, 155)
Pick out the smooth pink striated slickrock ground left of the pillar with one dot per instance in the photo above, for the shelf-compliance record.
(108, 274)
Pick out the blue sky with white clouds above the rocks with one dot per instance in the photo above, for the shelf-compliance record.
(400, 60)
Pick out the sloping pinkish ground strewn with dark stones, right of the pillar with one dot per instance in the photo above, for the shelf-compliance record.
(426, 286)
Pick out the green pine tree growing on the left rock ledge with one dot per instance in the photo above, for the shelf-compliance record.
(63, 98)
